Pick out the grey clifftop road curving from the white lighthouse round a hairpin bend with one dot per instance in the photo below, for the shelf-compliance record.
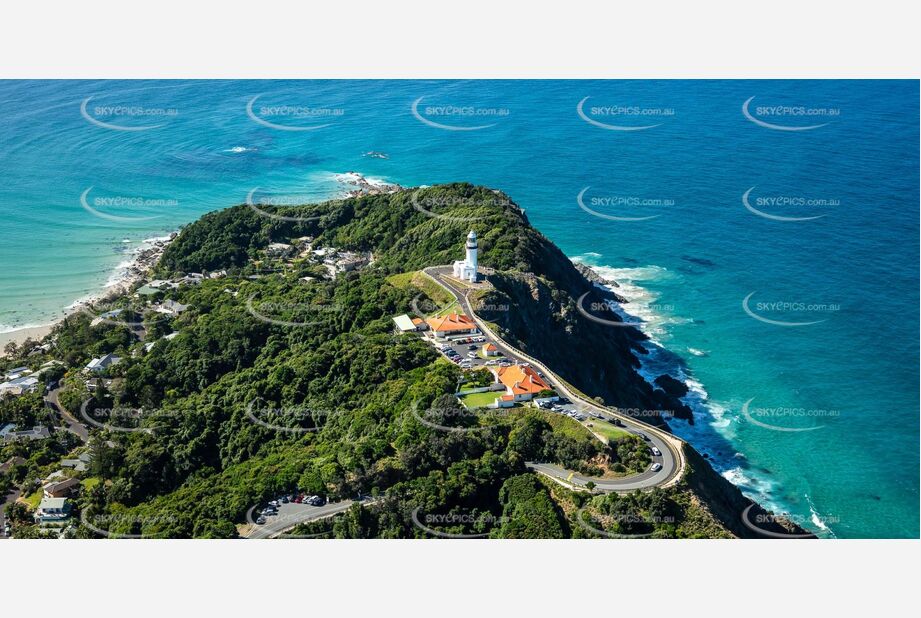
(672, 460)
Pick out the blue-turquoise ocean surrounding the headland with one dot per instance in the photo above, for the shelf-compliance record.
(849, 379)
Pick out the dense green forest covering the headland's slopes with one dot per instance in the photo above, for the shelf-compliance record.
(276, 384)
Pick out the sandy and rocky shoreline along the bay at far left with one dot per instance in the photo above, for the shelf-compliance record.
(124, 276)
